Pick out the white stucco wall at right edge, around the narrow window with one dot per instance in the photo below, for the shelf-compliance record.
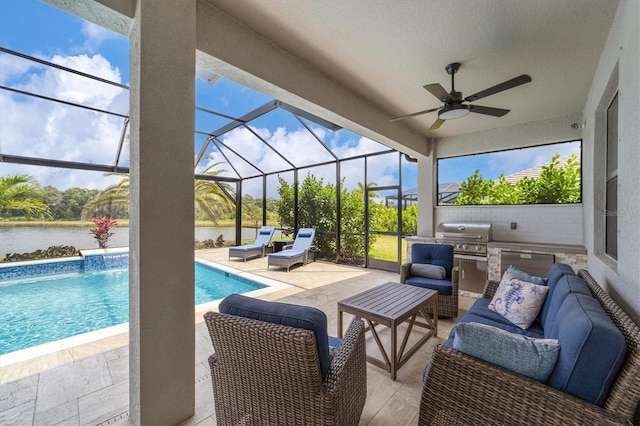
(618, 69)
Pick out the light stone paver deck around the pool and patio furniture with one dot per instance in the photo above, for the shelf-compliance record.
(88, 384)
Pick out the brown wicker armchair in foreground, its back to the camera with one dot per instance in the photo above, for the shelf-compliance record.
(269, 373)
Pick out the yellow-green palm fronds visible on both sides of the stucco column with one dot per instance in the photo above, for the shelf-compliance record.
(213, 198)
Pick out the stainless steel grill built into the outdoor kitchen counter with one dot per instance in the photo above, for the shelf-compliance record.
(466, 238)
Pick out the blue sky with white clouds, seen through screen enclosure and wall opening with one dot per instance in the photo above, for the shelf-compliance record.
(37, 128)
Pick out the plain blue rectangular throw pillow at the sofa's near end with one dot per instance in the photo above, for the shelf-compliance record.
(531, 357)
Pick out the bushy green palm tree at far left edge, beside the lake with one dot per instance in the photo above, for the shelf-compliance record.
(21, 194)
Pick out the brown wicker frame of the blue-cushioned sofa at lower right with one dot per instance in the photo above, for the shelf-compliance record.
(460, 389)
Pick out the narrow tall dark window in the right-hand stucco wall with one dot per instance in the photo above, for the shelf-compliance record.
(611, 209)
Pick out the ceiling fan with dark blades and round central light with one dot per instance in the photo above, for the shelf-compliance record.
(454, 106)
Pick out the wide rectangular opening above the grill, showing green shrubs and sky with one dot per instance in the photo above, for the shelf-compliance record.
(545, 174)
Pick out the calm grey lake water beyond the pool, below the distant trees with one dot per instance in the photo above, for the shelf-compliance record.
(28, 239)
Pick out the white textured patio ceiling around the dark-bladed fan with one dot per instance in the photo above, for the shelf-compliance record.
(385, 51)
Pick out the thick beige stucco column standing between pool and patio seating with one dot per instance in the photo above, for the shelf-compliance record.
(161, 311)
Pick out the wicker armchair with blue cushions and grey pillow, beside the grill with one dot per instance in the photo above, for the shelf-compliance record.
(422, 253)
